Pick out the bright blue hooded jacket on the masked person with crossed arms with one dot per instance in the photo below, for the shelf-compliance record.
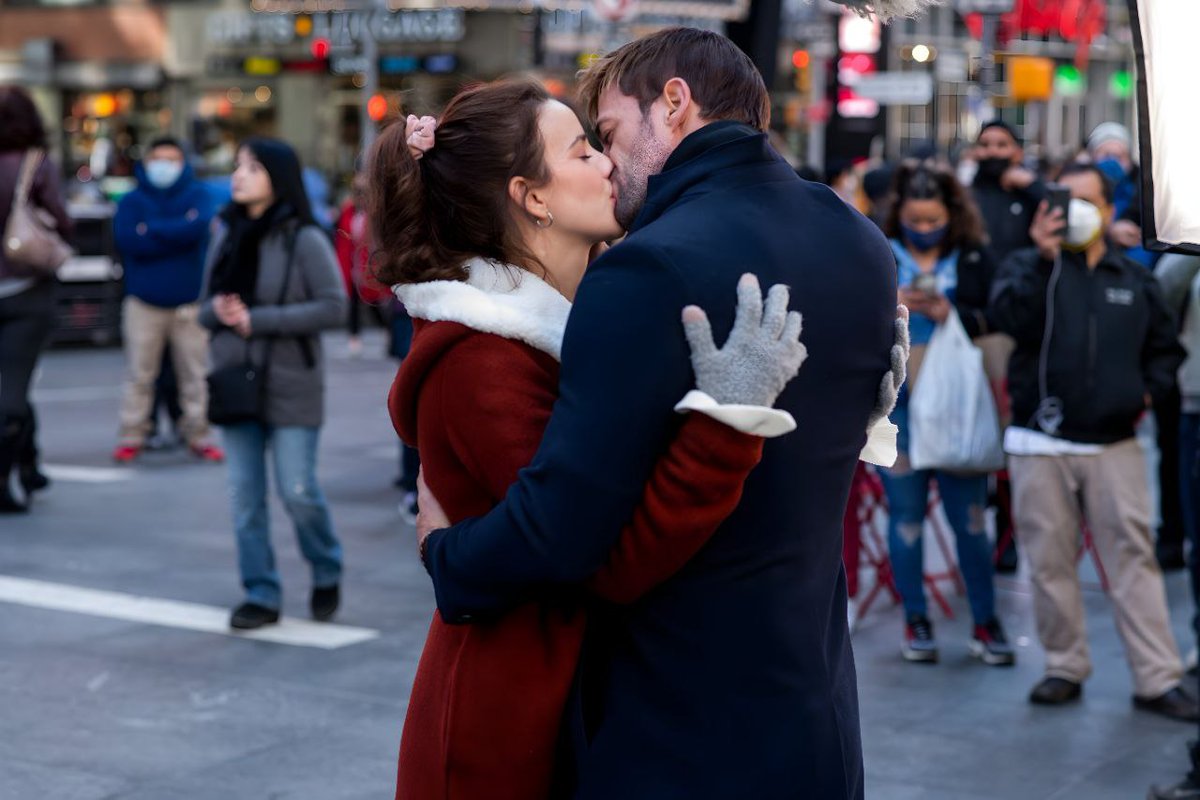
(164, 262)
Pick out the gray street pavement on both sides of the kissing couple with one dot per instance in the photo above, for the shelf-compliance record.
(98, 708)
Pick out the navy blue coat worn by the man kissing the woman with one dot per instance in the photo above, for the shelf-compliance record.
(735, 679)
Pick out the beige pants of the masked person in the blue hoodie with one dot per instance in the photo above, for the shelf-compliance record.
(147, 330)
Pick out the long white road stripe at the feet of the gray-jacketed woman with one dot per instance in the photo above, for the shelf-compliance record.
(173, 613)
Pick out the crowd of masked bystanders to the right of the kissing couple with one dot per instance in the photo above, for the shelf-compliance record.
(1089, 345)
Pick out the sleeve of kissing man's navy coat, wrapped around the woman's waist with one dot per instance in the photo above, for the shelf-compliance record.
(626, 365)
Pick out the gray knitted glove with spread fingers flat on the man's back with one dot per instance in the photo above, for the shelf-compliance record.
(761, 356)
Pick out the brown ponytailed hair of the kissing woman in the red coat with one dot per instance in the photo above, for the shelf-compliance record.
(430, 216)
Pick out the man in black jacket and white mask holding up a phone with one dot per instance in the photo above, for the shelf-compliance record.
(1096, 347)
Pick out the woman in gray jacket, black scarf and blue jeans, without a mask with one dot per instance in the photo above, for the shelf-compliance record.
(272, 286)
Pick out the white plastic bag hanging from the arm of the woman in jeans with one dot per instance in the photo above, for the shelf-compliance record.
(952, 414)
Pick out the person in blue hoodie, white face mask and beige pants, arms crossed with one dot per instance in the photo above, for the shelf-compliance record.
(163, 234)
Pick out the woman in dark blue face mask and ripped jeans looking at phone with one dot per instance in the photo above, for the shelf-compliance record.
(943, 268)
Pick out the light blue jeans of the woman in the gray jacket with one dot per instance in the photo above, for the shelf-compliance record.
(295, 453)
